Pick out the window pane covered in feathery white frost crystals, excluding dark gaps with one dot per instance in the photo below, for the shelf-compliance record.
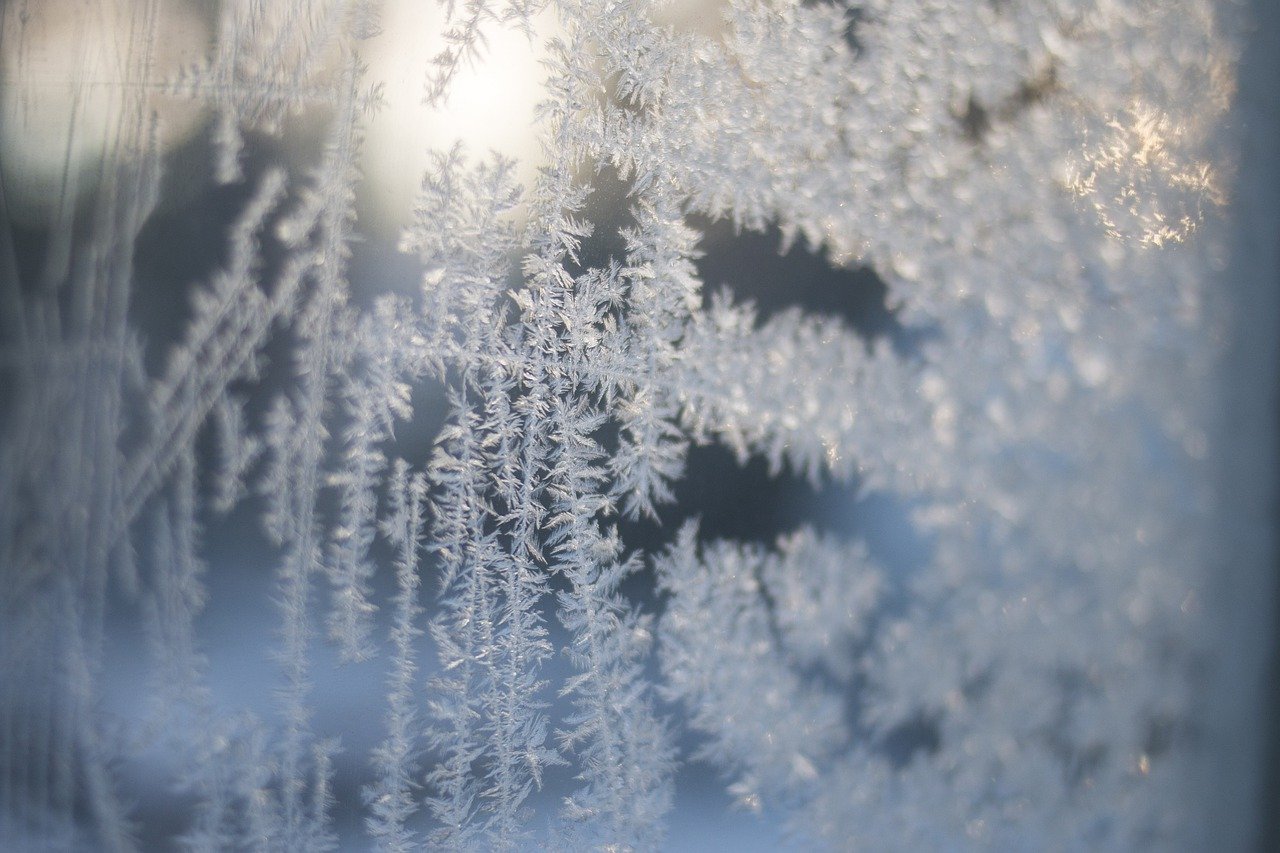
(1041, 189)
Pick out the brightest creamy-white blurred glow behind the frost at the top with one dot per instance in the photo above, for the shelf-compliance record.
(491, 106)
